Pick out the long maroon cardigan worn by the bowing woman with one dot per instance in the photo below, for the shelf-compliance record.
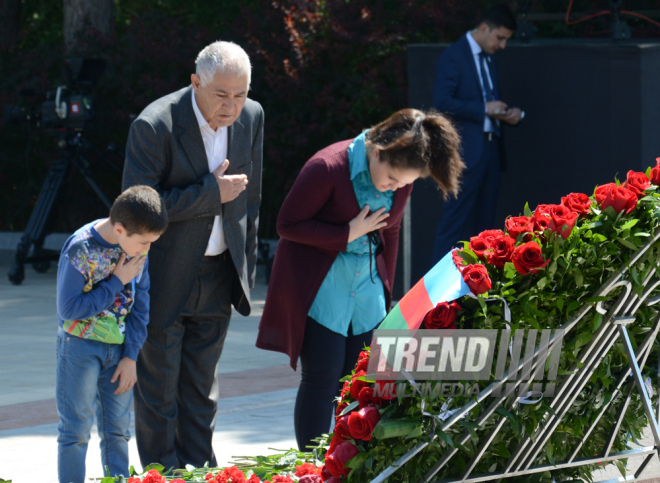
(313, 229)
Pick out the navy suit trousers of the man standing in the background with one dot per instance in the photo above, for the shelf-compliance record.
(474, 209)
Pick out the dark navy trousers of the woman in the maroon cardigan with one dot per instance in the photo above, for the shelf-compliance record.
(326, 357)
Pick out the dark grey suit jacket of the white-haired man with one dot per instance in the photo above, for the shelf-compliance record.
(165, 151)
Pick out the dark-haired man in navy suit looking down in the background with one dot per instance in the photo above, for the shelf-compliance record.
(467, 89)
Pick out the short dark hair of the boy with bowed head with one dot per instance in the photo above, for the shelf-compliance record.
(140, 209)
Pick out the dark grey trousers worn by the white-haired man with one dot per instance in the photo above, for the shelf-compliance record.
(176, 394)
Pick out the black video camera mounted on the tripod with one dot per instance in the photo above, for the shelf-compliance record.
(69, 107)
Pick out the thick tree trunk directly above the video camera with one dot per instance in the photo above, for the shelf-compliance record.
(89, 25)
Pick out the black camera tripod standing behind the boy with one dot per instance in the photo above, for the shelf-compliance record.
(71, 147)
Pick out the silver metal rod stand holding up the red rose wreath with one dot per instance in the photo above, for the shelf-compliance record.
(613, 330)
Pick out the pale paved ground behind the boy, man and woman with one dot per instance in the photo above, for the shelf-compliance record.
(255, 412)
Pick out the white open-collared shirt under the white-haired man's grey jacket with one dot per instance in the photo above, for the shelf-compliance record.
(215, 145)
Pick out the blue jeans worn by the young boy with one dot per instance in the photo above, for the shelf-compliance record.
(84, 370)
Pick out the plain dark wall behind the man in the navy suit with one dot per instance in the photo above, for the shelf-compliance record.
(592, 111)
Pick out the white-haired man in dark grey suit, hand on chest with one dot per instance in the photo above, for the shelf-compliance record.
(201, 149)
